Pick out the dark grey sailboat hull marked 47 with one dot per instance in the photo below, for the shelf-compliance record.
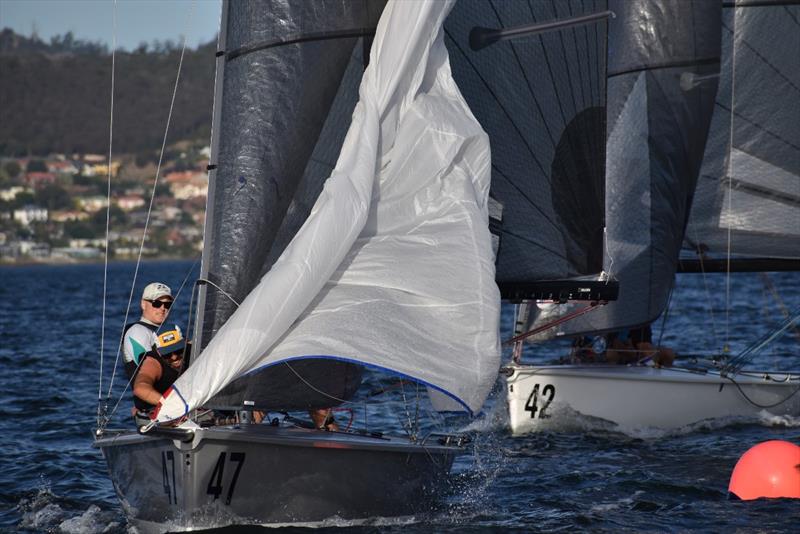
(260, 474)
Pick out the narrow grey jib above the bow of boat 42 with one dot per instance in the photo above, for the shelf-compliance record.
(664, 60)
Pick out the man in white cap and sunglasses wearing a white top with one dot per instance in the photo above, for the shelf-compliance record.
(140, 336)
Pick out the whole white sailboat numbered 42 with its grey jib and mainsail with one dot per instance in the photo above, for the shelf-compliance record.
(669, 125)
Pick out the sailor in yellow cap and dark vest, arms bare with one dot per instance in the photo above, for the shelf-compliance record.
(158, 369)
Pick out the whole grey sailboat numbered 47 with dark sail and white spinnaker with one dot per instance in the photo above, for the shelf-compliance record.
(347, 227)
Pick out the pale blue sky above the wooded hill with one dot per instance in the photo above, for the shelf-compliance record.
(93, 20)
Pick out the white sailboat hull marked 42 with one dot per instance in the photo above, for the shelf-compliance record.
(636, 397)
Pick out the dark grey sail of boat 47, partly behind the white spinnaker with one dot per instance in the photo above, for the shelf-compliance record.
(290, 83)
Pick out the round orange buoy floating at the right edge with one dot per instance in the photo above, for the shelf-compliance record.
(769, 469)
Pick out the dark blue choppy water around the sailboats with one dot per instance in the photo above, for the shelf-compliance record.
(51, 480)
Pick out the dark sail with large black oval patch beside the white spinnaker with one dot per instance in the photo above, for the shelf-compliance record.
(541, 99)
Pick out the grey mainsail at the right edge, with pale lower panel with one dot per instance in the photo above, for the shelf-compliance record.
(748, 196)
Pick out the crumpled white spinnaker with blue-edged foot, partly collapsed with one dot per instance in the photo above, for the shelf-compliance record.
(394, 267)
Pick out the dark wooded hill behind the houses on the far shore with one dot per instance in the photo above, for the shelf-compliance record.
(55, 97)
